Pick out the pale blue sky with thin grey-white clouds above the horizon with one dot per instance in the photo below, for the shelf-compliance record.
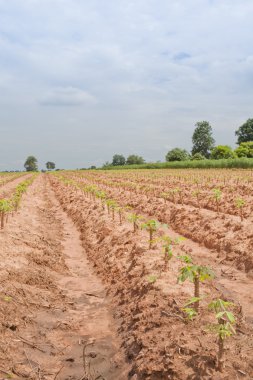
(82, 80)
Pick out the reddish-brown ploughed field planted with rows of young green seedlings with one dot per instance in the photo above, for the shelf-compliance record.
(127, 274)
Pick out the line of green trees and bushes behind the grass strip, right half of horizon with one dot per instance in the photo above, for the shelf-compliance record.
(203, 147)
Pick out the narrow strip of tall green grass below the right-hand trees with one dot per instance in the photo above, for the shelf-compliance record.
(240, 163)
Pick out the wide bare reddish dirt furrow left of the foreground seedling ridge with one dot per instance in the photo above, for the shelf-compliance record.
(55, 316)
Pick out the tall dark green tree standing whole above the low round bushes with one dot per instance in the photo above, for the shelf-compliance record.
(202, 139)
